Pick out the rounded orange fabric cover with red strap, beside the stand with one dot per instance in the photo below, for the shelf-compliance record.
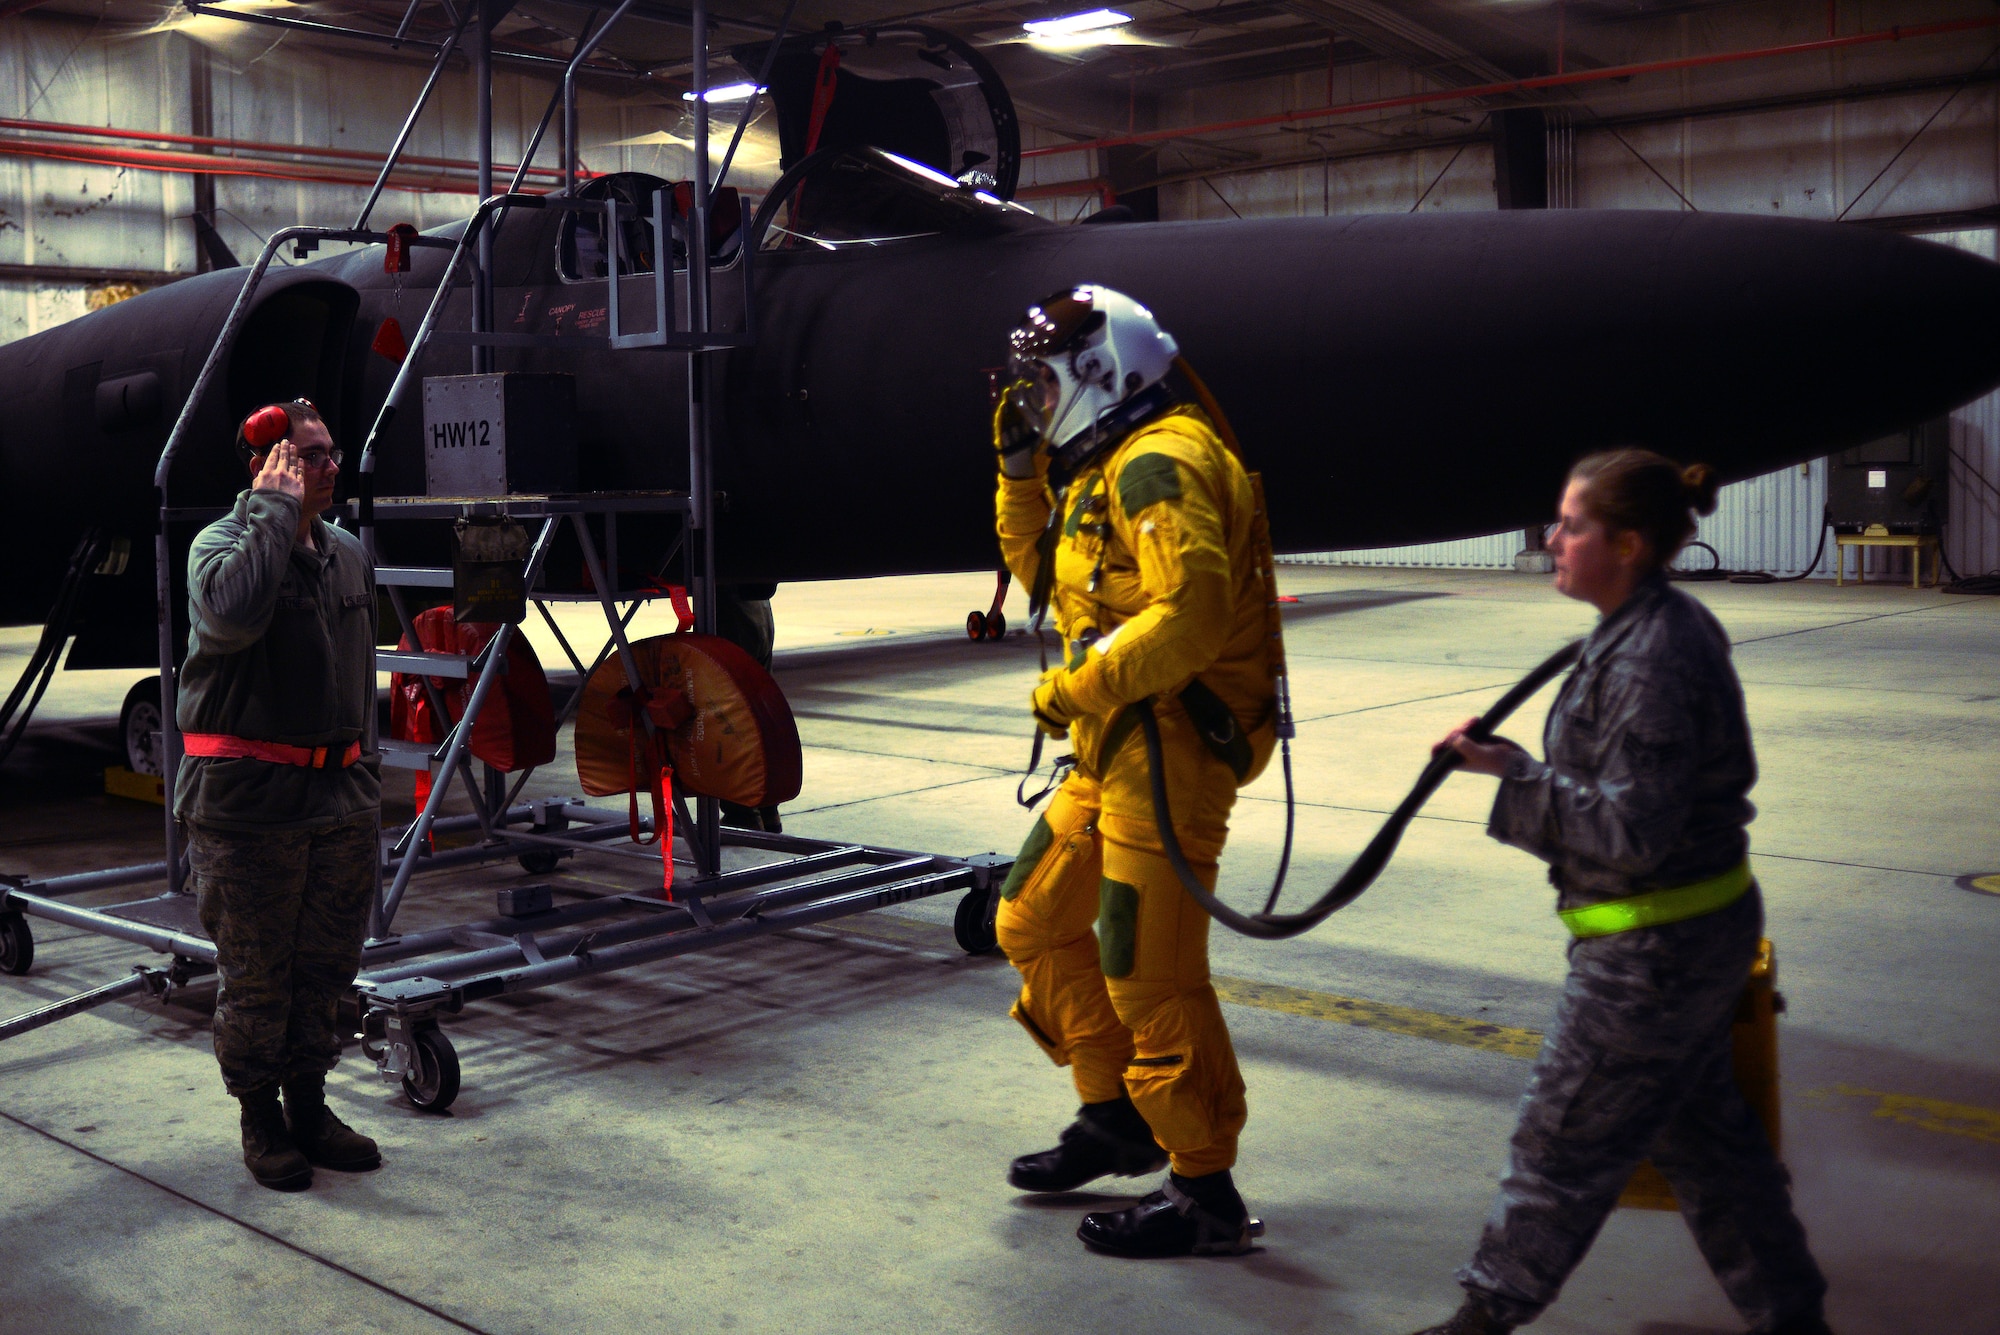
(723, 720)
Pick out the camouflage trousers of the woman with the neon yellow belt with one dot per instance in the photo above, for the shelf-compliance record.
(1639, 1064)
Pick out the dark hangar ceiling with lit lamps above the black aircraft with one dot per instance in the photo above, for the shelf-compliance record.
(1119, 83)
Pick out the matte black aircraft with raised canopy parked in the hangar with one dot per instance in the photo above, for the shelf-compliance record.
(1397, 379)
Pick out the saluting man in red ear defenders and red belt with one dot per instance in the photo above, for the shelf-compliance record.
(279, 794)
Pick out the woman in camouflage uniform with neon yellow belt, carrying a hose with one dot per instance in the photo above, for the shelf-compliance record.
(1641, 812)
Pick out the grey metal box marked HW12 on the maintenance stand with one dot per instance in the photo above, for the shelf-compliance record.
(503, 435)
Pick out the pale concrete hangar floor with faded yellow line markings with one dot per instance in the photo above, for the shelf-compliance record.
(809, 1134)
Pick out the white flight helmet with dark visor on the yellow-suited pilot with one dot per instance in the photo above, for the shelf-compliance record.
(1103, 349)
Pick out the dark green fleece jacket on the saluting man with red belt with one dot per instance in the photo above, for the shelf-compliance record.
(279, 651)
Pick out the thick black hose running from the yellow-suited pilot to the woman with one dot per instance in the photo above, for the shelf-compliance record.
(1369, 866)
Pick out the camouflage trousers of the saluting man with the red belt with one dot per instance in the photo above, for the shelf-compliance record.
(287, 910)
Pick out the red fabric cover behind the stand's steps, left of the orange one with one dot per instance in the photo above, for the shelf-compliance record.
(517, 726)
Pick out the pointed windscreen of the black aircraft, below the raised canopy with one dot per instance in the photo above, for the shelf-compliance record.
(867, 197)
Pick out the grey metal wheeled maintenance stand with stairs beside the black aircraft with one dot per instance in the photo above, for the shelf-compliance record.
(745, 884)
